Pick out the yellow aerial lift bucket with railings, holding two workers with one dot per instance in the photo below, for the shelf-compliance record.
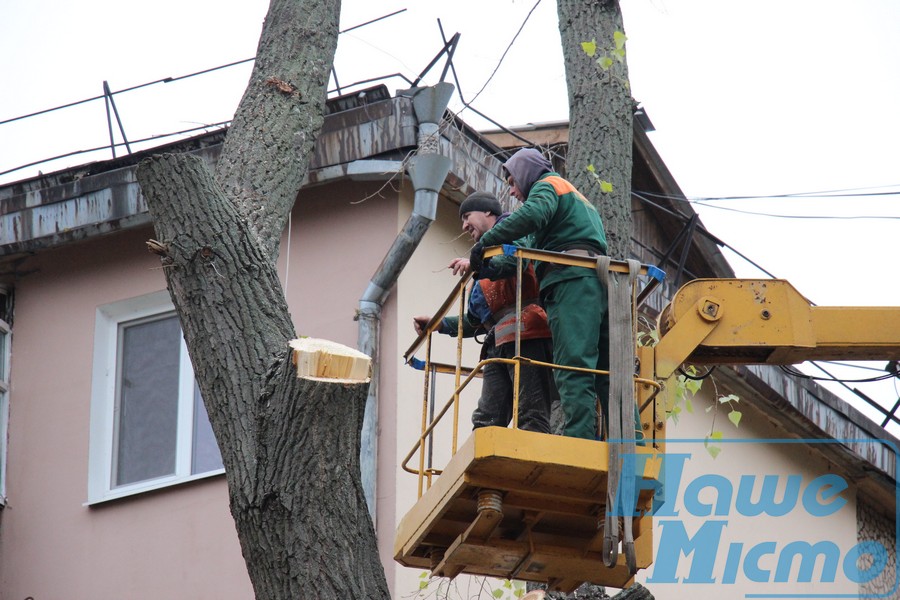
(516, 504)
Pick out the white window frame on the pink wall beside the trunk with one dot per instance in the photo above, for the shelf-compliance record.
(103, 402)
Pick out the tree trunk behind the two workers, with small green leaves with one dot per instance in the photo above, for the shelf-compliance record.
(600, 114)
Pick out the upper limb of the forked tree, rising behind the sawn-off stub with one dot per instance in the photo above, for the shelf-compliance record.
(280, 115)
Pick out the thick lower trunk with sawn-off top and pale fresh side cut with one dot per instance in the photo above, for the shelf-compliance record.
(290, 446)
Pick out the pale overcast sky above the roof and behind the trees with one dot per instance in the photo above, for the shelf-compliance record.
(759, 98)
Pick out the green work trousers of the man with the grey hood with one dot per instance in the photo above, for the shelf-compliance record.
(577, 311)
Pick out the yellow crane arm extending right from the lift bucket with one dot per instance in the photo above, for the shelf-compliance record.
(767, 321)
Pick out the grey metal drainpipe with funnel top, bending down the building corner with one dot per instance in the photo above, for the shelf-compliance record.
(427, 170)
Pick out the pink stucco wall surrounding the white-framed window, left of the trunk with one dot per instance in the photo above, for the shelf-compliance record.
(162, 544)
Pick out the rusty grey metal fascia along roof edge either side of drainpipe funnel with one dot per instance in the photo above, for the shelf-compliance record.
(81, 203)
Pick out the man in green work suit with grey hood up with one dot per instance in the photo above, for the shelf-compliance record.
(559, 218)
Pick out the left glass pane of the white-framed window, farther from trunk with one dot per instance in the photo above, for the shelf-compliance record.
(147, 407)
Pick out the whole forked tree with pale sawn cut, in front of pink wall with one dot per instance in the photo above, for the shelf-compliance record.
(290, 446)
